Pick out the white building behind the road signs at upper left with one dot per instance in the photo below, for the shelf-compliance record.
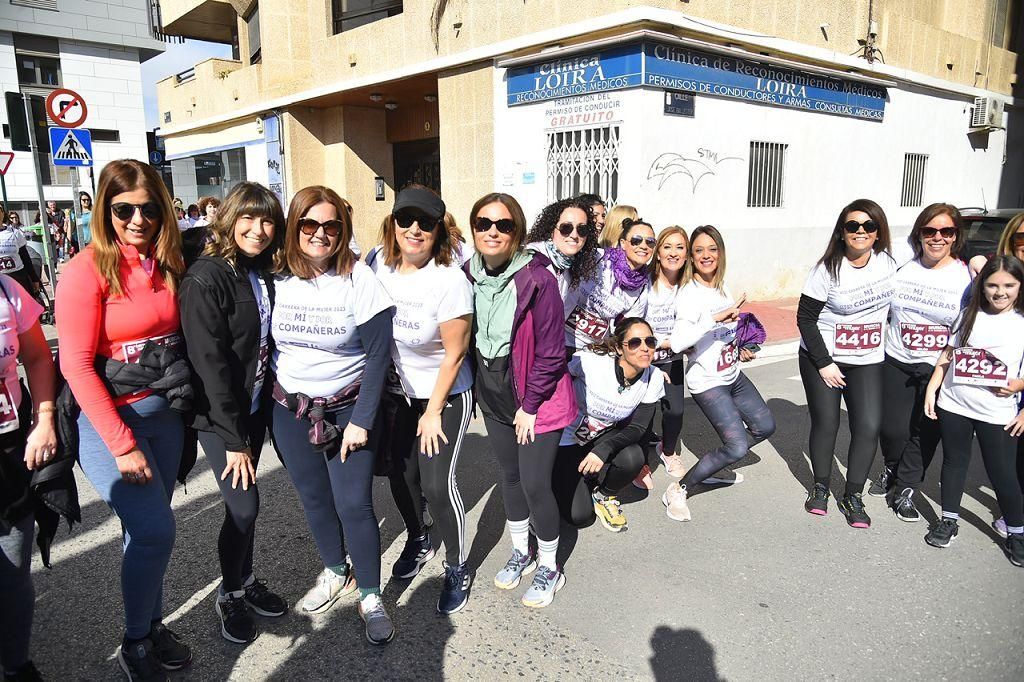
(94, 48)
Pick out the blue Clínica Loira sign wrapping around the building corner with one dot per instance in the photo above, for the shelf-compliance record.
(674, 68)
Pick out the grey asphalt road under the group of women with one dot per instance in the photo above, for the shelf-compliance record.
(754, 588)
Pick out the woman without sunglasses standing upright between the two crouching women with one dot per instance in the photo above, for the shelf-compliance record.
(667, 275)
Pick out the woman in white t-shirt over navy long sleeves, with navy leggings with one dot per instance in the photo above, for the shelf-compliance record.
(332, 332)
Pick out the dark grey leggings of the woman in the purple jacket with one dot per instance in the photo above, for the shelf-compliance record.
(527, 478)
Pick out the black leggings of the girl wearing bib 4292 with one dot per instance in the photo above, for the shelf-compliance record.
(999, 450)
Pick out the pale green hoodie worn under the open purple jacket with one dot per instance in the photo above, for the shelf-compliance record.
(495, 304)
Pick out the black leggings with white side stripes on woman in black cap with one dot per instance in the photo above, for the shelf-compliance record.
(414, 475)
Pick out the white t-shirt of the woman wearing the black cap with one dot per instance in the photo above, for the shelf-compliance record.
(423, 301)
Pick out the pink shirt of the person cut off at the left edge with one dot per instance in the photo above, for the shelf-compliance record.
(19, 312)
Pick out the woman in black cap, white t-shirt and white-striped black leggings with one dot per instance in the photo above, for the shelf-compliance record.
(430, 399)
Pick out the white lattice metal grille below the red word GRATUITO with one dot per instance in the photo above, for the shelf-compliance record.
(585, 160)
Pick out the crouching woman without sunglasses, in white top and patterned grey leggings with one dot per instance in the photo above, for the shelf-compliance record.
(707, 323)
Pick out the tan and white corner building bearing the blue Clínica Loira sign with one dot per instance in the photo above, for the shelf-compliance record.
(762, 118)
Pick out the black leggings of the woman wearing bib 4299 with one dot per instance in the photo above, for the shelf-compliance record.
(909, 439)
